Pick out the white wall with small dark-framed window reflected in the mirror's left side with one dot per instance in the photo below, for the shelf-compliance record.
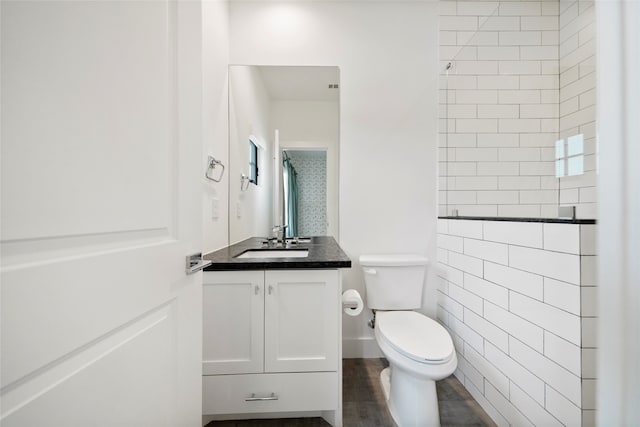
(249, 116)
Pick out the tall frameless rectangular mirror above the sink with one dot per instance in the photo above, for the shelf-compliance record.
(284, 135)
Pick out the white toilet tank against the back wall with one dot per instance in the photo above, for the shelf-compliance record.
(394, 281)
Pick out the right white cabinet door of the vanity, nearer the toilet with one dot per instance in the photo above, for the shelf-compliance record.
(302, 312)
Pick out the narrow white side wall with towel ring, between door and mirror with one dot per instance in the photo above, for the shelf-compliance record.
(215, 46)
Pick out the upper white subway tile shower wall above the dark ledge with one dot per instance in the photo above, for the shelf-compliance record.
(521, 76)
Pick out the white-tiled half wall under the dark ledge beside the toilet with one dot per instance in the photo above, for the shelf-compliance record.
(519, 299)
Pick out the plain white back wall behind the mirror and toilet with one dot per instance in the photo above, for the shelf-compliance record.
(388, 117)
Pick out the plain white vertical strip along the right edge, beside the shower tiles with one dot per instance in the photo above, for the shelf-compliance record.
(618, 86)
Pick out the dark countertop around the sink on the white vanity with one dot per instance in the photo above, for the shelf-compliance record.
(324, 252)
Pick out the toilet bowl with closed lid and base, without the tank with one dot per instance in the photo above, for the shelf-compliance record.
(420, 352)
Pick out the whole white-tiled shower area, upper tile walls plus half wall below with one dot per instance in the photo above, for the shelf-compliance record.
(517, 205)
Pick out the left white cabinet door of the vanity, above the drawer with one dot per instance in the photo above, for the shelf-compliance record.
(233, 322)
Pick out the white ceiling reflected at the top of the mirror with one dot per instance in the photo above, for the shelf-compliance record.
(300, 83)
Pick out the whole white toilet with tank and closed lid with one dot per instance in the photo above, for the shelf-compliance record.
(419, 350)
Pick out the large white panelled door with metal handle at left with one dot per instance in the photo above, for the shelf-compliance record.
(100, 205)
